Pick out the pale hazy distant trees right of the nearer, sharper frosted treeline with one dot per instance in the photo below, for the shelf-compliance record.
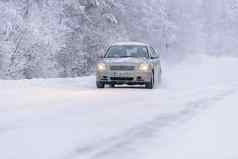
(204, 26)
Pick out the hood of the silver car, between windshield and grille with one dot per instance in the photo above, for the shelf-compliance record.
(124, 61)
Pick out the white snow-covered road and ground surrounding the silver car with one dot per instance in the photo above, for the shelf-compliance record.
(193, 114)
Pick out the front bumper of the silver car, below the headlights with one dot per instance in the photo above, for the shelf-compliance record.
(124, 77)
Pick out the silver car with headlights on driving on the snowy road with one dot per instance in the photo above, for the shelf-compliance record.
(129, 63)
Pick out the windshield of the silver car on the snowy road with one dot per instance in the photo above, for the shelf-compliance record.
(127, 51)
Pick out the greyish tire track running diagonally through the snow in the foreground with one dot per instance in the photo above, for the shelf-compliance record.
(122, 142)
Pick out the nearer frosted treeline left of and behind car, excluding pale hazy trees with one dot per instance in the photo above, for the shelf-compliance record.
(64, 38)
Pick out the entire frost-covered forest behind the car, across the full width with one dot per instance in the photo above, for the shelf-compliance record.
(65, 38)
